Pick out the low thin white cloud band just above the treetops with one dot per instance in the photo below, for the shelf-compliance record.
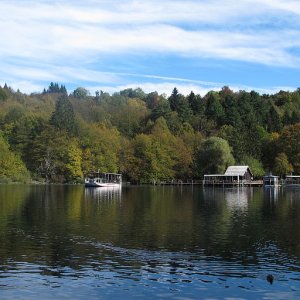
(115, 82)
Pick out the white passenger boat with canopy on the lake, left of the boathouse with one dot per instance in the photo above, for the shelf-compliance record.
(98, 179)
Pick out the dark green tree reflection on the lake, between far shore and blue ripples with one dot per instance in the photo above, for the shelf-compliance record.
(218, 221)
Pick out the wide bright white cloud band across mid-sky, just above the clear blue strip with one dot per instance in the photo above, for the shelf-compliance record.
(80, 44)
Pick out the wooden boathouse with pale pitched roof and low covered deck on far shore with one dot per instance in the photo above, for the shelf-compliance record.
(234, 175)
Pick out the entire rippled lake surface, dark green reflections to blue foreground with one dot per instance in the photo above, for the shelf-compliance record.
(68, 242)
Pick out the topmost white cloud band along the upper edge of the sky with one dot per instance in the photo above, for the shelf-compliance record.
(149, 11)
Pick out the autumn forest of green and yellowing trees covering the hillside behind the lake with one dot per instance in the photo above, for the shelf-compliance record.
(56, 137)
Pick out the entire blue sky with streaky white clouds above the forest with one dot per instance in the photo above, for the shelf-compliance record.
(156, 45)
